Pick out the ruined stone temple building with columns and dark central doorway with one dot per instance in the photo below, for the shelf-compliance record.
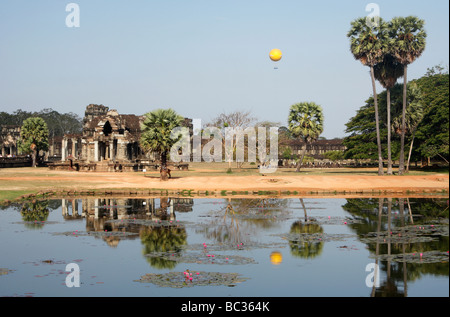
(109, 142)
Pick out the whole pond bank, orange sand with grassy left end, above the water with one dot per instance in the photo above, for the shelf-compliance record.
(28, 182)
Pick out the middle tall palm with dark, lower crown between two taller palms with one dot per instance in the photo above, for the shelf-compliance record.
(387, 72)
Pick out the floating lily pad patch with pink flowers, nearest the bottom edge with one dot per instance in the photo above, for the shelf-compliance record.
(195, 278)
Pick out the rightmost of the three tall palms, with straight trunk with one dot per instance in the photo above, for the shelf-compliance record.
(408, 43)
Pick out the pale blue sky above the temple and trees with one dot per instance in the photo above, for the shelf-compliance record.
(199, 57)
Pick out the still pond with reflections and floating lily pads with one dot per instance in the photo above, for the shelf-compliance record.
(211, 247)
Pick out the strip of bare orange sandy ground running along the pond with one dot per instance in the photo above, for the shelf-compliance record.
(436, 183)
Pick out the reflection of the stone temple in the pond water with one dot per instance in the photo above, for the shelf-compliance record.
(97, 212)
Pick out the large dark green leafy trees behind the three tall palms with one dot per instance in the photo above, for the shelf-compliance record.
(426, 120)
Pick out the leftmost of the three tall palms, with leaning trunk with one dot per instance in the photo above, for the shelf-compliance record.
(369, 44)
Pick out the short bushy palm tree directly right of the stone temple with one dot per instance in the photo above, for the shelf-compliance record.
(156, 134)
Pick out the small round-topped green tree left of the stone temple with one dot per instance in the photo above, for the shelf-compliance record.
(33, 137)
